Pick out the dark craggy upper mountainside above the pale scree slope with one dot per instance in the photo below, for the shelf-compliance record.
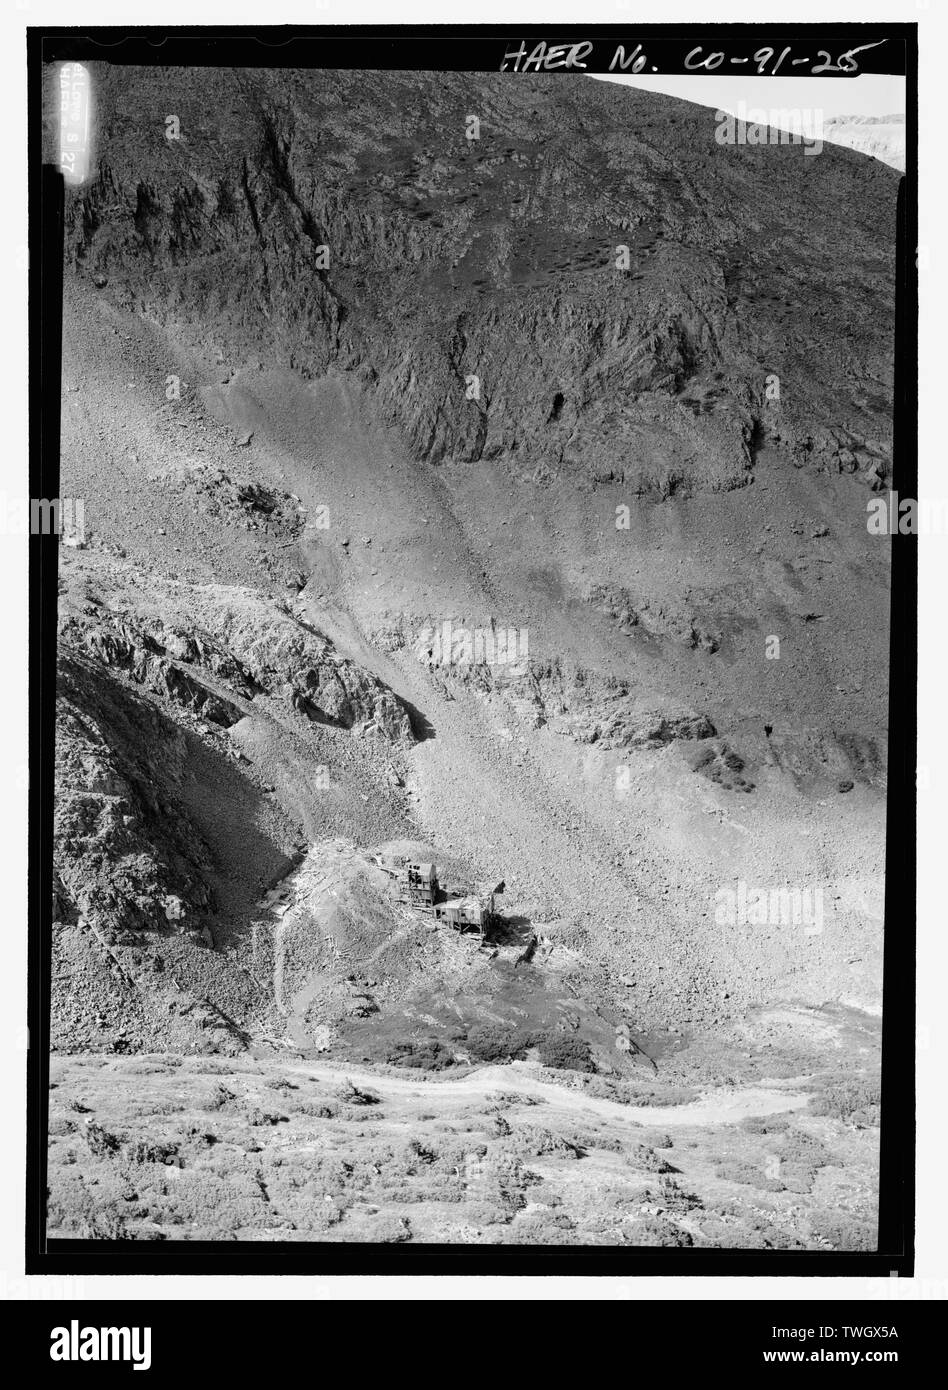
(350, 223)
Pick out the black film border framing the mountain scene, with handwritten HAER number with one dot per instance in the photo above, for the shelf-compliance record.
(461, 48)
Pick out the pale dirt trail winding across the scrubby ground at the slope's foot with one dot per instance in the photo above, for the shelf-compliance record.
(718, 1109)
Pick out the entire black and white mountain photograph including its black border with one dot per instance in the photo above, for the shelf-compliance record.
(479, 636)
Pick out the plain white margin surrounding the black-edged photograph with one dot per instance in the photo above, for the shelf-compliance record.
(931, 1281)
